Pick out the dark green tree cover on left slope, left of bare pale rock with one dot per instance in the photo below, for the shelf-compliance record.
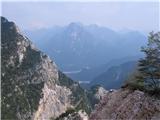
(19, 95)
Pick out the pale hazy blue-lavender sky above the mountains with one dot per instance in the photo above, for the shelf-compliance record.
(142, 16)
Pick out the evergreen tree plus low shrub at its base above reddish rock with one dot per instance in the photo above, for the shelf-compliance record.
(147, 77)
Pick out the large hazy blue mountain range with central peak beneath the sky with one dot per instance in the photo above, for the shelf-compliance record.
(76, 47)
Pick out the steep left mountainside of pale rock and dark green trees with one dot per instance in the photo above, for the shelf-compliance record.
(31, 83)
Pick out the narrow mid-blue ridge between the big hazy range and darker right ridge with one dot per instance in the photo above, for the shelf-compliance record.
(88, 74)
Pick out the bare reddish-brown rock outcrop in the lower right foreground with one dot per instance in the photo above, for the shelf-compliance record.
(127, 105)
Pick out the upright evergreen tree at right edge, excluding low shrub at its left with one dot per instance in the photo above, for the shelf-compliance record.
(149, 67)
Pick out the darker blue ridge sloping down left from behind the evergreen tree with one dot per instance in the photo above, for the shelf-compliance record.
(114, 77)
